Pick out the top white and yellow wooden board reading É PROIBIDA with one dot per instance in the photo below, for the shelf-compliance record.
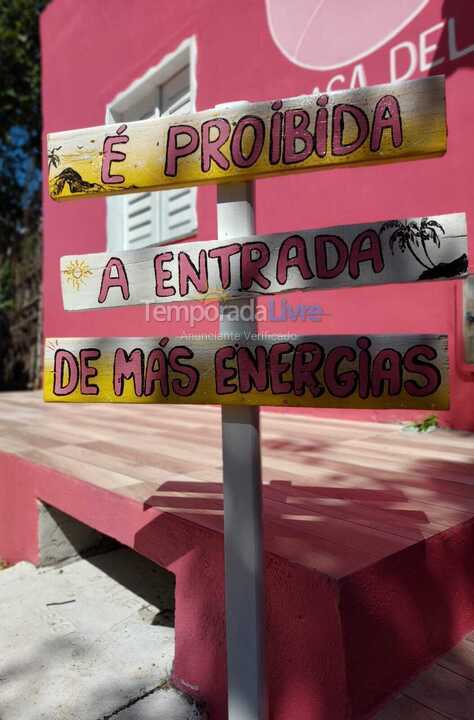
(368, 125)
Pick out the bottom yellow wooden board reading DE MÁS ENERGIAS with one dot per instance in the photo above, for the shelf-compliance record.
(337, 371)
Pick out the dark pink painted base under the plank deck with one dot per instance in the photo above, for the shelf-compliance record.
(336, 647)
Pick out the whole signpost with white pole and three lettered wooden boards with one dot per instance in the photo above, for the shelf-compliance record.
(232, 145)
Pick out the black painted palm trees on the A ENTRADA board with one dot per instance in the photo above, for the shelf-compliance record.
(414, 238)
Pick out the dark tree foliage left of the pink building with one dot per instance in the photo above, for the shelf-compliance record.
(20, 188)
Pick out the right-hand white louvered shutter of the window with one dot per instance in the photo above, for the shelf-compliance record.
(178, 207)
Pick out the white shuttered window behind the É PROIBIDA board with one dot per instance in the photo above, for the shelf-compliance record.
(149, 218)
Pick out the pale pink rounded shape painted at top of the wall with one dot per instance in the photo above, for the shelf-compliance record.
(327, 34)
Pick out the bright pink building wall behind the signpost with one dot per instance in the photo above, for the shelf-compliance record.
(93, 50)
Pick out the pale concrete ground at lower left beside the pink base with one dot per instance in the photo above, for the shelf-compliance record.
(87, 641)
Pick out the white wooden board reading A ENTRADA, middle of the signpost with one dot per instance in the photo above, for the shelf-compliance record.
(406, 250)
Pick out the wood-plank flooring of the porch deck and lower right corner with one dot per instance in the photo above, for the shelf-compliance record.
(338, 496)
